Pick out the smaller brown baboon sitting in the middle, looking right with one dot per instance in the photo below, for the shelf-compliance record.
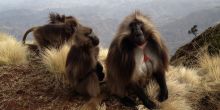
(82, 68)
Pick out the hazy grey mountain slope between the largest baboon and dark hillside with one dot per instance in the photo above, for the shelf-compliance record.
(176, 32)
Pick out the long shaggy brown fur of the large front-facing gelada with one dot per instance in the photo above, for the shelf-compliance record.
(121, 63)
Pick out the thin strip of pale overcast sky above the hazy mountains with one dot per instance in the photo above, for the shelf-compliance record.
(10, 4)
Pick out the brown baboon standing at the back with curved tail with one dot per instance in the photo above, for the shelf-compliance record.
(53, 35)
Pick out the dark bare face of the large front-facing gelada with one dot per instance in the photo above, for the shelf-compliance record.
(137, 32)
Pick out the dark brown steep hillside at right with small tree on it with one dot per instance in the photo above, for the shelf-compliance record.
(188, 54)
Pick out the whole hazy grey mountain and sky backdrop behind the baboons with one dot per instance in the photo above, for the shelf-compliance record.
(172, 17)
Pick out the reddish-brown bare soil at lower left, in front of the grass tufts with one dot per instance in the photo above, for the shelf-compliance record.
(30, 86)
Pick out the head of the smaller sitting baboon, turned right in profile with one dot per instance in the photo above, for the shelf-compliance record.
(86, 35)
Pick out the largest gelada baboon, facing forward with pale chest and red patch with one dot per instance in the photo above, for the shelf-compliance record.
(136, 55)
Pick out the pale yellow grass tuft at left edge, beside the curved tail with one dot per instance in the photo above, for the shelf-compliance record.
(12, 51)
